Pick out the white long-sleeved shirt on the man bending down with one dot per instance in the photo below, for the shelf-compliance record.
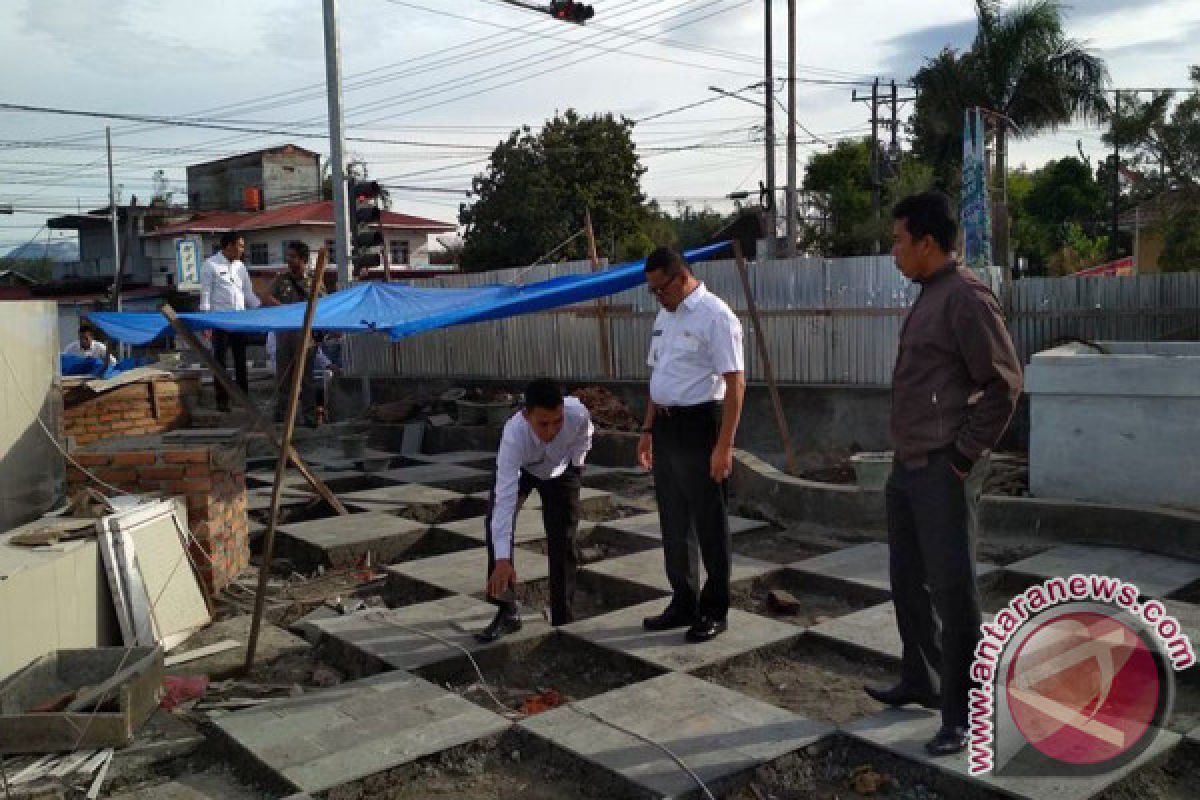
(523, 450)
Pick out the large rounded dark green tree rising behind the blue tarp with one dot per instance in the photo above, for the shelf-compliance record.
(539, 185)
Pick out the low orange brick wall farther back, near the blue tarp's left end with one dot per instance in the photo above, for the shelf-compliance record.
(151, 406)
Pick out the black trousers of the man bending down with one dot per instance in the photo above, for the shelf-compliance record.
(561, 514)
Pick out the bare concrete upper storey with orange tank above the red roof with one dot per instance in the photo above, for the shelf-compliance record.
(256, 182)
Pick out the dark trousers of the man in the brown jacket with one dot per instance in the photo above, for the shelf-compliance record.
(932, 539)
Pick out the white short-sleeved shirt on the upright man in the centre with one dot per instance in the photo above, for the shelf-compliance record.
(692, 348)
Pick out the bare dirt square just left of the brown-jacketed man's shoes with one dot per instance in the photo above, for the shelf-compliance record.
(807, 677)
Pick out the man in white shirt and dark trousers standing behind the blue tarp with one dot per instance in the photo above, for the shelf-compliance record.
(225, 286)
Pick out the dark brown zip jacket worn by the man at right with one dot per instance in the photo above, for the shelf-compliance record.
(957, 377)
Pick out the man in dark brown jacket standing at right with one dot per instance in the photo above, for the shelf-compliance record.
(955, 388)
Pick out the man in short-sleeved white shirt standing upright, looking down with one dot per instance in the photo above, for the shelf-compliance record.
(697, 363)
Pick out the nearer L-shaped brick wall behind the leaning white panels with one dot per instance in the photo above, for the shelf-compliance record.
(212, 479)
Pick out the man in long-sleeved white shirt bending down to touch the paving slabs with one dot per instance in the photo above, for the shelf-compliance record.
(544, 448)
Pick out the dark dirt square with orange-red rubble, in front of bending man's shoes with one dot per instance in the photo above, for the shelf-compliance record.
(574, 669)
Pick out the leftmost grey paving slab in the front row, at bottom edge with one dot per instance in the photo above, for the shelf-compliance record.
(327, 739)
